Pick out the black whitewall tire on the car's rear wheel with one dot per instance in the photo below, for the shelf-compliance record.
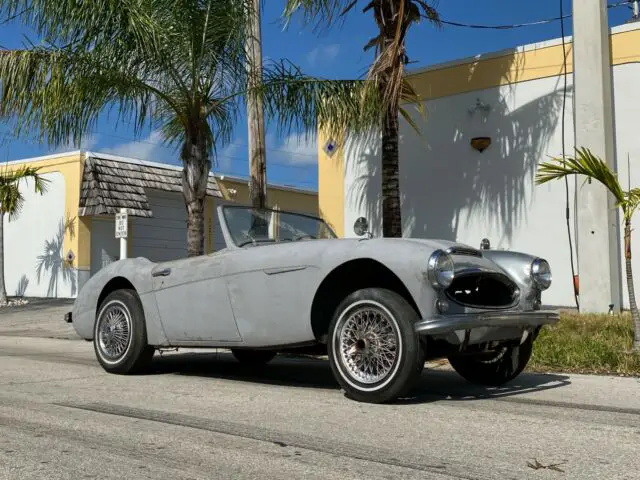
(136, 356)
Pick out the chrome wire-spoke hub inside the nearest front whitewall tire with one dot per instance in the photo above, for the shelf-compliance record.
(368, 345)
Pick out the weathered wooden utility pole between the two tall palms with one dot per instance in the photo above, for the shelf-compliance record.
(255, 111)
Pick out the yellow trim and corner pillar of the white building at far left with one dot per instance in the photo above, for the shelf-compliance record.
(78, 236)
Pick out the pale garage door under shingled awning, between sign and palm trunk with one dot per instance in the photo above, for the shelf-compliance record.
(163, 237)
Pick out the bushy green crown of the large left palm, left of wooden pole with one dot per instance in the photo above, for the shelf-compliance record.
(156, 62)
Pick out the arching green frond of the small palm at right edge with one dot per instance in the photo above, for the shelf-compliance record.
(583, 163)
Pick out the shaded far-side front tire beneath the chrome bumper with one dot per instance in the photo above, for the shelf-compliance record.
(497, 370)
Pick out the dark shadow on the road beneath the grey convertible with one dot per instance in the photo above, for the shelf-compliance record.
(311, 372)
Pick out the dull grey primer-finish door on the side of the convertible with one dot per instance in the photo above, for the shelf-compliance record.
(193, 300)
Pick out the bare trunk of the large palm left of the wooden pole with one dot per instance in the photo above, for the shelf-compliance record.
(195, 176)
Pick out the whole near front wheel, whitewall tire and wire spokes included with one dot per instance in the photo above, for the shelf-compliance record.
(373, 349)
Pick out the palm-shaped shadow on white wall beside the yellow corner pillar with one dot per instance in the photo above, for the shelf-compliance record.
(53, 262)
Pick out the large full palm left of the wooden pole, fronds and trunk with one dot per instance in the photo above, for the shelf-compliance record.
(179, 66)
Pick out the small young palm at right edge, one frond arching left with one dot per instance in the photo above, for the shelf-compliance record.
(587, 164)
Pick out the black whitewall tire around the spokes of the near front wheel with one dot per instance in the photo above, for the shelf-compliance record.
(408, 361)
